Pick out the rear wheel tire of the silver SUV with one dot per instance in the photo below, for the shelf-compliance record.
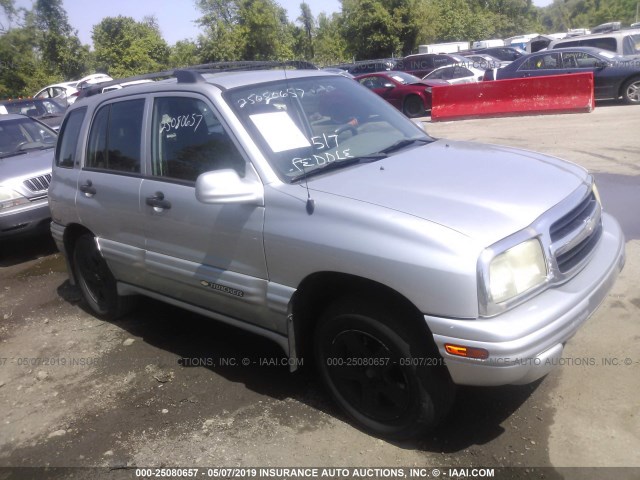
(96, 282)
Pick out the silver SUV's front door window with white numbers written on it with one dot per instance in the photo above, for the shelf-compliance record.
(188, 140)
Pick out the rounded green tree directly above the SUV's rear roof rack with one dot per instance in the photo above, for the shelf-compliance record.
(125, 47)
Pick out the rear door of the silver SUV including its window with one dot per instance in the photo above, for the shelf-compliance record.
(107, 196)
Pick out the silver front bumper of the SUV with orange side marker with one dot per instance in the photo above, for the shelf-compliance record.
(525, 343)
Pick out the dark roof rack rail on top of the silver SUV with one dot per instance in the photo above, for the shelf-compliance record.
(191, 74)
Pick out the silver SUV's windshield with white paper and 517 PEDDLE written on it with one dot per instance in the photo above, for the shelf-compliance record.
(308, 124)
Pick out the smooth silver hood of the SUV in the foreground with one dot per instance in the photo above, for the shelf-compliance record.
(483, 191)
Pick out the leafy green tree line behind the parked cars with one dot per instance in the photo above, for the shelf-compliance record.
(39, 46)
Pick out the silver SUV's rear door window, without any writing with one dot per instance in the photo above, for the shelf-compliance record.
(115, 138)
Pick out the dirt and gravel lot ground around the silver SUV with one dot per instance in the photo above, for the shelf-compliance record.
(164, 387)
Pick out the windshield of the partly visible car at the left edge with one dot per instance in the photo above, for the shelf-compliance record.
(23, 134)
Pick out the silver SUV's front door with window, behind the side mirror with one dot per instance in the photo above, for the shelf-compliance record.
(207, 255)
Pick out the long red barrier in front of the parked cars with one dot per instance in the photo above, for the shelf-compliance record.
(521, 96)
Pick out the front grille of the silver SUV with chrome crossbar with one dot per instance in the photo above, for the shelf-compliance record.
(575, 235)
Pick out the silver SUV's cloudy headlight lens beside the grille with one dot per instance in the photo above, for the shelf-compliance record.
(516, 271)
